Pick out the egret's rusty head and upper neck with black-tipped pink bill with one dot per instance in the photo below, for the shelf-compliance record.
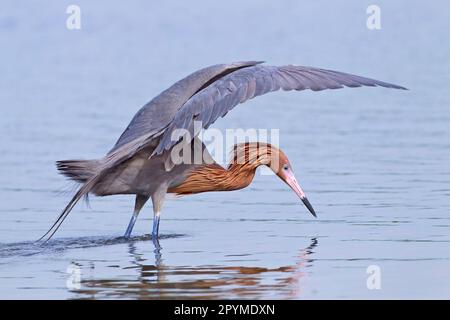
(256, 153)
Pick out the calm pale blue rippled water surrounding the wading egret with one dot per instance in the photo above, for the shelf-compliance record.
(373, 162)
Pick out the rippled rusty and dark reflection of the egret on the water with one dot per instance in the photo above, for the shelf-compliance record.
(160, 281)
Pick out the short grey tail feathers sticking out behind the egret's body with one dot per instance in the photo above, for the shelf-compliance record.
(78, 170)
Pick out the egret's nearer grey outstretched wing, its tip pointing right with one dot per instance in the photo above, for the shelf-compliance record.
(224, 94)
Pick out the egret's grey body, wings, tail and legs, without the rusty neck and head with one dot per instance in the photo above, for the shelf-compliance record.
(137, 162)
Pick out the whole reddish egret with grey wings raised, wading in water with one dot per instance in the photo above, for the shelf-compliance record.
(140, 161)
